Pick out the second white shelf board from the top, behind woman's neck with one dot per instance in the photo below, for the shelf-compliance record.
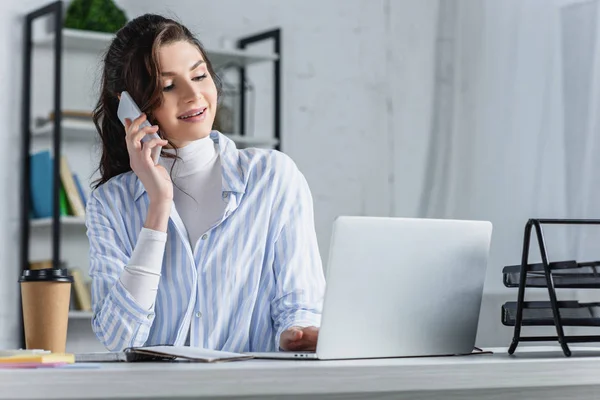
(84, 130)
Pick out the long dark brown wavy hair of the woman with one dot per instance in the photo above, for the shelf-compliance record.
(131, 64)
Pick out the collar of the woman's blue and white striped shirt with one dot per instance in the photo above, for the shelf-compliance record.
(233, 175)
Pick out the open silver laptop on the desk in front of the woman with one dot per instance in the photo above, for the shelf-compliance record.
(400, 287)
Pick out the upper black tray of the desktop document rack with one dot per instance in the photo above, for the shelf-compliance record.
(565, 274)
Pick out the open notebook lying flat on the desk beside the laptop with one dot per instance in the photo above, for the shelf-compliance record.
(163, 353)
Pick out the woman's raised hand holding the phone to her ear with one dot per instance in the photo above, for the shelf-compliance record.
(155, 178)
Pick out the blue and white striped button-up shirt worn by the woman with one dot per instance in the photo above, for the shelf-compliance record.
(250, 277)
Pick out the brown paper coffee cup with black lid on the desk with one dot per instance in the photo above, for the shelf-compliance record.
(45, 297)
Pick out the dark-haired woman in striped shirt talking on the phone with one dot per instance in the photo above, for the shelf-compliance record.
(213, 247)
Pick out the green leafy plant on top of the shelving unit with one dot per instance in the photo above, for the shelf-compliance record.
(95, 15)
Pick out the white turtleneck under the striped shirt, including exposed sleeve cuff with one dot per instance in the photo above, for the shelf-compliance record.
(197, 196)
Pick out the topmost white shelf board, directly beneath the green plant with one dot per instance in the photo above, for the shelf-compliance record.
(74, 39)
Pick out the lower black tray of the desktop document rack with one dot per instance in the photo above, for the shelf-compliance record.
(572, 313)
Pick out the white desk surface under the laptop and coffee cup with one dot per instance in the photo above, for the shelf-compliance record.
(547, 375)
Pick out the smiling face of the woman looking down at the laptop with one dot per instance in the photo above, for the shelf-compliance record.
(189, 94)
